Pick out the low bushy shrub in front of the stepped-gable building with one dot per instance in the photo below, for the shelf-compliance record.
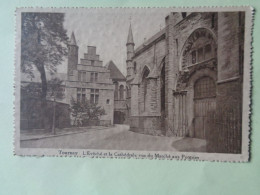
(85, 111)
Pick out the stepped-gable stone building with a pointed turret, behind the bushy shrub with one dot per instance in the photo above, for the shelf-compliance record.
(89, 79)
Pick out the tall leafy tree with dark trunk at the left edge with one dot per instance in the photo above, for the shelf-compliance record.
(43, 44)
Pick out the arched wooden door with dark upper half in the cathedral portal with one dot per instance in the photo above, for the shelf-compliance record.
(204, 102)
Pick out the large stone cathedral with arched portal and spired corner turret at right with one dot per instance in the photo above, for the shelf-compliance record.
(188, 71)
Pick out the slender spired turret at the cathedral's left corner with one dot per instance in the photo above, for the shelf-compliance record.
(130, 53)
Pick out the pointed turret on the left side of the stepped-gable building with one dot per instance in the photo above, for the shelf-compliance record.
(72, 54)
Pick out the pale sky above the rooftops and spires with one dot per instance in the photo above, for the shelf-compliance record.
(107, 29)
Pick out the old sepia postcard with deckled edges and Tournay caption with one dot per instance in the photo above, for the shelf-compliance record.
(155, 83)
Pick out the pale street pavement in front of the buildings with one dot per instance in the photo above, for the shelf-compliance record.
(117, 137)
